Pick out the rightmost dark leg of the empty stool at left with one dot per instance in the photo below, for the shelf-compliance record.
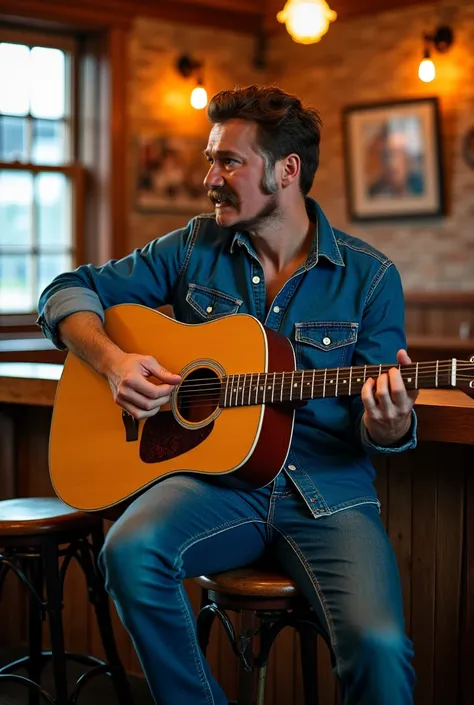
(99, 598)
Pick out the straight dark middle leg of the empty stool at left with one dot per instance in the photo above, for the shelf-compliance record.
(54, 598)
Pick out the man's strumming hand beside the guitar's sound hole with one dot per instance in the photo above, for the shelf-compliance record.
(131, 387)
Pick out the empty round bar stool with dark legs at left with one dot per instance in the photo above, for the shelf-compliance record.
(34, 534)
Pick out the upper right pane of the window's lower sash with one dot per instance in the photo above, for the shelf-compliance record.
(53, 202)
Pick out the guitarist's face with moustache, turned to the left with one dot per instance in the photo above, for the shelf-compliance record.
(234, 179)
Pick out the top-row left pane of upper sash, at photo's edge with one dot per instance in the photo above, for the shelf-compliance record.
(14, 78)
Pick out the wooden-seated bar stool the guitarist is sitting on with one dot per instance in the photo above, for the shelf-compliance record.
(268, 601)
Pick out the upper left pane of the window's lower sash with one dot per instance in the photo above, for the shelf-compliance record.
(16, 197)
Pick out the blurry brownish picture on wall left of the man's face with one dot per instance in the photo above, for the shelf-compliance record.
(169, 174)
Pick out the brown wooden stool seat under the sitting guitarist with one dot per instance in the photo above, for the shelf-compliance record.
(251, 582)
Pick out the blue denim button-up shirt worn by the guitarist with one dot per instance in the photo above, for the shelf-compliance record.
(344, 306)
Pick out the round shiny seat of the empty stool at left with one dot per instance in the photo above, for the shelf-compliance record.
(30, 516)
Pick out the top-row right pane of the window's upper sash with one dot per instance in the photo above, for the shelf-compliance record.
(47, 83)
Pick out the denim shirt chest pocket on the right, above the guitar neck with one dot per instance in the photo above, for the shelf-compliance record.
(321, 345)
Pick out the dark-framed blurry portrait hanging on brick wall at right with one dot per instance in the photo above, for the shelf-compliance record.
(393, 160)
